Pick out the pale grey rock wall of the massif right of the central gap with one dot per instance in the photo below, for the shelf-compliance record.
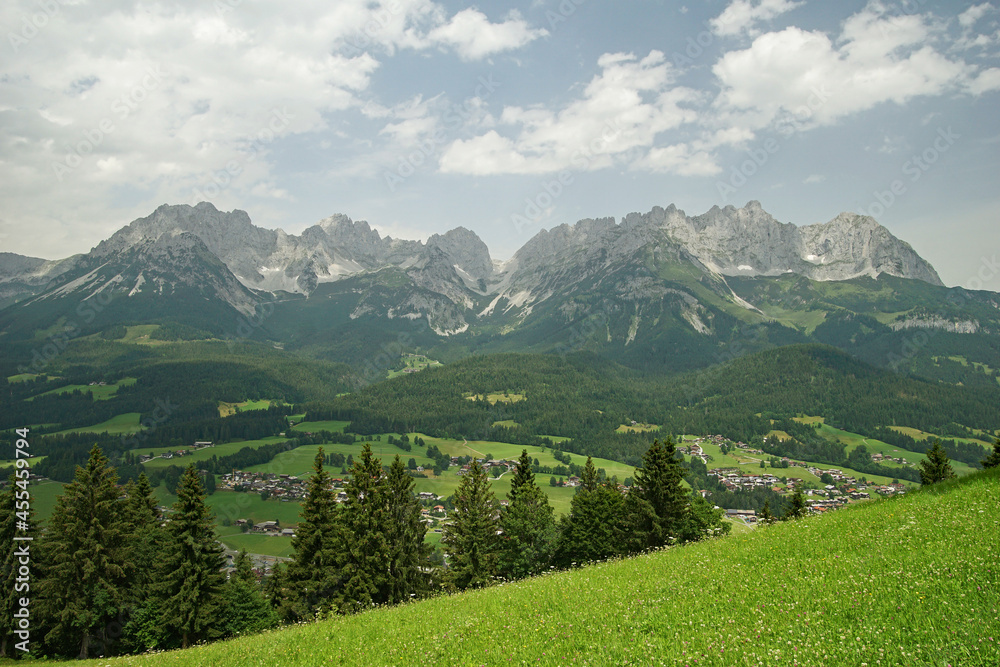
(724, 241)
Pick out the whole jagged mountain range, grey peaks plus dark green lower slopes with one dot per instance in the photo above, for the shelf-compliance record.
(656, 290)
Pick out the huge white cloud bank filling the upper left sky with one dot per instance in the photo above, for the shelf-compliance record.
(147, 103)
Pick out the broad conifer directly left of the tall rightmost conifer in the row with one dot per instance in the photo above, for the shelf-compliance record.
(593, 529)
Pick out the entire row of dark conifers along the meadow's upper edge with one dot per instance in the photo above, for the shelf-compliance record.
(114, 576)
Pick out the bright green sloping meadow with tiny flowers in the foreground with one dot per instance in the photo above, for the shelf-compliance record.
(908, 581)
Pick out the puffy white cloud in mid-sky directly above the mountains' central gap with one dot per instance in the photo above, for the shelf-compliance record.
(621, 110)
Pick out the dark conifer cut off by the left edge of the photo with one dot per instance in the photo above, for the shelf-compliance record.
(13, 510)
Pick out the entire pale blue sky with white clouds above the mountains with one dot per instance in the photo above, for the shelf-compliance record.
(504, 117)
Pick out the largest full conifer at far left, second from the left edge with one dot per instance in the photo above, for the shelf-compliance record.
(85, 555)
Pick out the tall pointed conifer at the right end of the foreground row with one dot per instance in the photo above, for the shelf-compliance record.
(658, 506)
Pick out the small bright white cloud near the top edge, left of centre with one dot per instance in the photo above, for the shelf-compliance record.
(473, 37)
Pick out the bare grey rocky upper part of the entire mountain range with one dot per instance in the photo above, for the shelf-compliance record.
(451, 279)
